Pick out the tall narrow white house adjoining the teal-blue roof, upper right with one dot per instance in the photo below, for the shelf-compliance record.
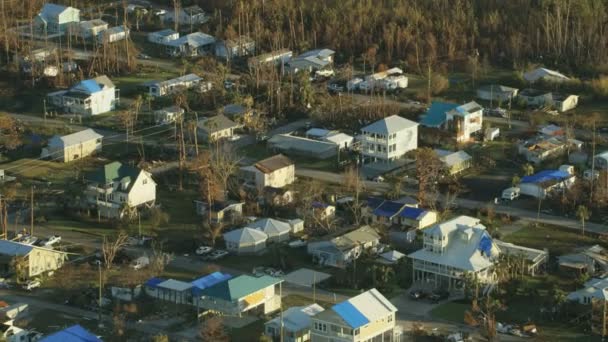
(465, 120)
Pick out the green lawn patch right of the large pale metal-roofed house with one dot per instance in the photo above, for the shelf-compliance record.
(559, 241)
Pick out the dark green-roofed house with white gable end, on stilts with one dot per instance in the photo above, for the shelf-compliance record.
(116, 188)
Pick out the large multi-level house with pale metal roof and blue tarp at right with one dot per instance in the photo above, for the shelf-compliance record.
(450, 250)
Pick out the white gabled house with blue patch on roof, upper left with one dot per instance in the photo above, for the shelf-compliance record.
(88, 97)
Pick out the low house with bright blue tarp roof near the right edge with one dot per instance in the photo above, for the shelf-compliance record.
(542, 183)
